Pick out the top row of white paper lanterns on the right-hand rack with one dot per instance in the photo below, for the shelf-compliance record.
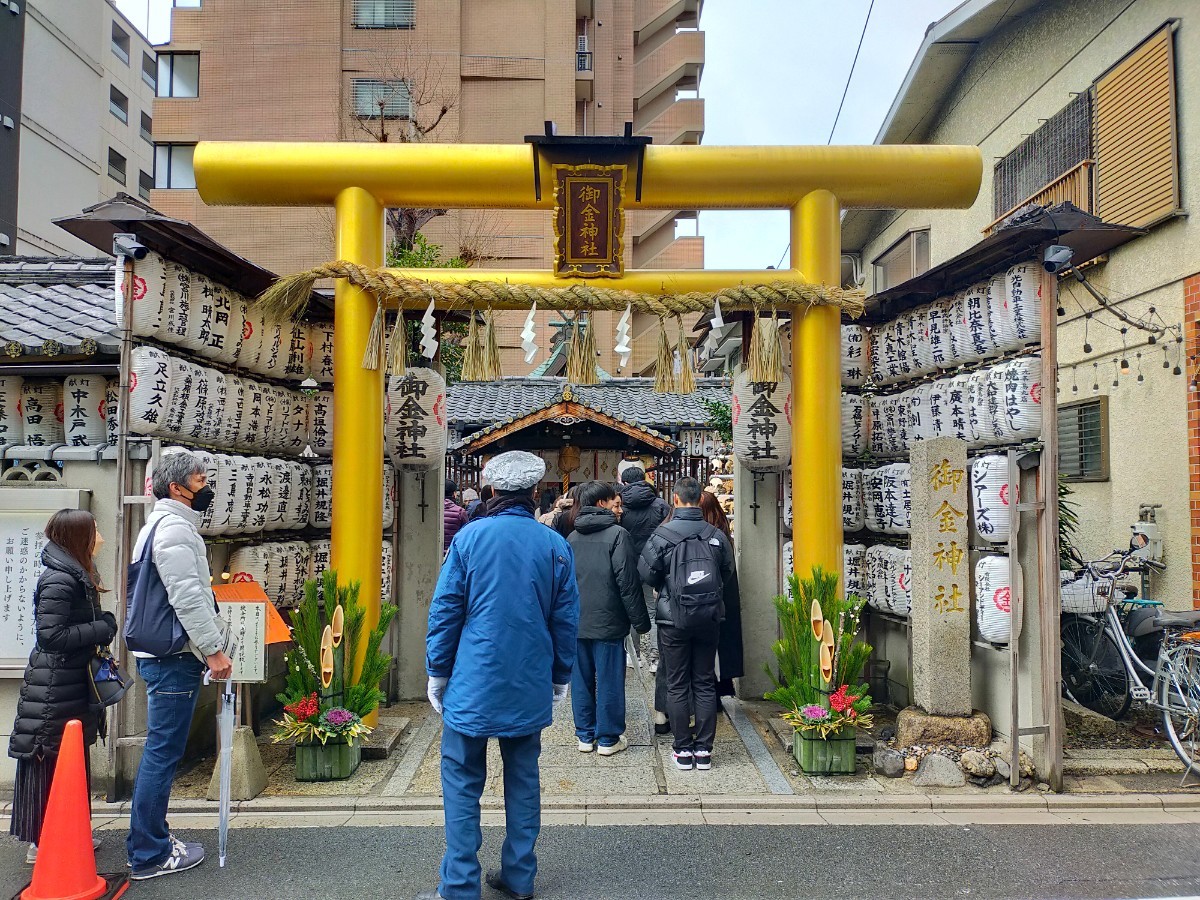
(988, 320)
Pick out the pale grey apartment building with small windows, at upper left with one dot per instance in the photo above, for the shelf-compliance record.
(77, 83)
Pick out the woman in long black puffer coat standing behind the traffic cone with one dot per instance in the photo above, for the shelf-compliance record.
(58, 688)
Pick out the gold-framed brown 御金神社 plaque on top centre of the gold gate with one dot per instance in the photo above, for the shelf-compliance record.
(590, 221)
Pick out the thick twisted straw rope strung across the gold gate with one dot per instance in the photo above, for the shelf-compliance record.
(291, 295)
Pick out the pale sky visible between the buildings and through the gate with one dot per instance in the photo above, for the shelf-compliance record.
(775, 74)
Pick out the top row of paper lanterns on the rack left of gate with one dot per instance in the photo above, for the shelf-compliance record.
(178, 307)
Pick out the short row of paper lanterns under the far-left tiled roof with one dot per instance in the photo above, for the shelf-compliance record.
(80, 411)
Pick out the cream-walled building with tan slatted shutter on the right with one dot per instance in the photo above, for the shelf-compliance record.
(1094, 103)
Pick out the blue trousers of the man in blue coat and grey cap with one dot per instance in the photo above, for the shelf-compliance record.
(464, 773)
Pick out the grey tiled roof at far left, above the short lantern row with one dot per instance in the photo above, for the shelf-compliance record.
(57, 308)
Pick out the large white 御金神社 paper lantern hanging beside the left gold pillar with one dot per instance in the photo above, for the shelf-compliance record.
(416, 421)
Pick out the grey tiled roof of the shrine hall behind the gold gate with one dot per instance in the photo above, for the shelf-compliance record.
(472, 405)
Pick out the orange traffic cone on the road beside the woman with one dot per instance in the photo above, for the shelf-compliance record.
(67, 862)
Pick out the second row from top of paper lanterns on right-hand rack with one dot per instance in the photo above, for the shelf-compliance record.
(994, 406)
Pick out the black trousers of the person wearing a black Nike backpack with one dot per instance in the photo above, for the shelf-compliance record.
(691, 663)
